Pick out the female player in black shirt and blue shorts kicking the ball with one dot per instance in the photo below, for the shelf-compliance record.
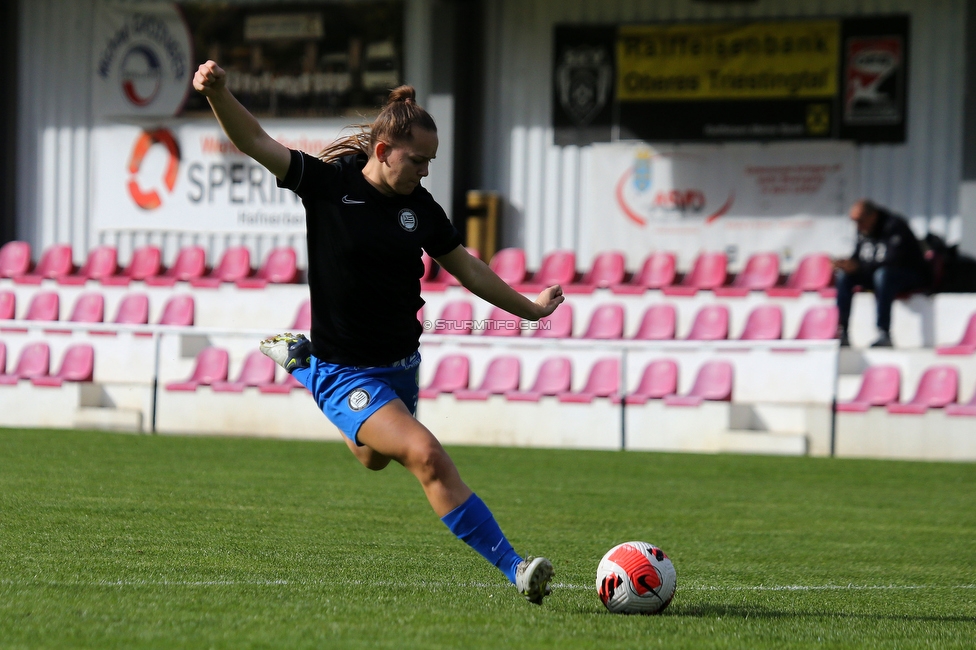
(367, 219)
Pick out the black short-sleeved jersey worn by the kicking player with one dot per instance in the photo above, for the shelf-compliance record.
(364, 259)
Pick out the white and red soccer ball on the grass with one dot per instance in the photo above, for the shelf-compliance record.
(635, 578)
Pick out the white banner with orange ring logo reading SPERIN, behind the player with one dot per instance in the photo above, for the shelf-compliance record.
(190, 177)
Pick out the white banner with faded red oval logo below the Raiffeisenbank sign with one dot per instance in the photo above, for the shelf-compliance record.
(740, 198)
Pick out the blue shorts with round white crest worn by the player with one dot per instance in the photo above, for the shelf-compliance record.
(348, 395)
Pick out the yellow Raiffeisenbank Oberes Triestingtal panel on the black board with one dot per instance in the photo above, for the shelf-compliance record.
(768, 60)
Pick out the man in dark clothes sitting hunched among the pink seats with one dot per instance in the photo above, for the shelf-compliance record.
(887, 259)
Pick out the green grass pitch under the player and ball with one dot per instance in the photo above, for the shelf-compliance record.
(119, 541)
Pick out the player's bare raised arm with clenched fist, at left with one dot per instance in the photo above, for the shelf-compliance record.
(239, 125)
